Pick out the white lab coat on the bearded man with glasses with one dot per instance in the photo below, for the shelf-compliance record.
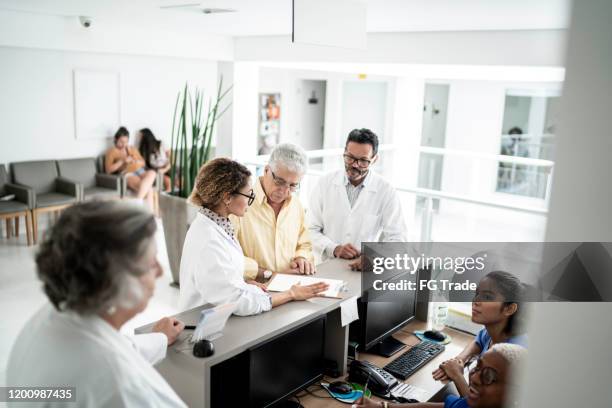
(377, 215)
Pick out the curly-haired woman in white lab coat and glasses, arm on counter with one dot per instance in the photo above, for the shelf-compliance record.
(212, 261)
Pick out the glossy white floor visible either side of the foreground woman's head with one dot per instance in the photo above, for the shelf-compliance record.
(21, 294)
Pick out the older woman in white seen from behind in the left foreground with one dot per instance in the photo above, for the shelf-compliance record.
(98, 268)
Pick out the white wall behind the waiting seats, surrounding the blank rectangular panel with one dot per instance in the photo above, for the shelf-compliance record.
(37, 104)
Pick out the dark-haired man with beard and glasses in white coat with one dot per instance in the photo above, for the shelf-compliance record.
(354, 205)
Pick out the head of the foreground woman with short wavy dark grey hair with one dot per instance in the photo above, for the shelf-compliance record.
(92, 258)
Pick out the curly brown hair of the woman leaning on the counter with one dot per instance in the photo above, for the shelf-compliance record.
(215, 178)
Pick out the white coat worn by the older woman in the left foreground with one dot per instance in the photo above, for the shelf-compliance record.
(105, 366)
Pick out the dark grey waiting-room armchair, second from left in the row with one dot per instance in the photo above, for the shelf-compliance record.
(51, 192)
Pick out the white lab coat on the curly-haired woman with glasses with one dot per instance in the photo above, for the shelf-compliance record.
(212, 267)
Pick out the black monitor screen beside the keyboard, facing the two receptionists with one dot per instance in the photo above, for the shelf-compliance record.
(384, 318)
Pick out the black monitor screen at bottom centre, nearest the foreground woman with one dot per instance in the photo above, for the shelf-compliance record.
(286, 364)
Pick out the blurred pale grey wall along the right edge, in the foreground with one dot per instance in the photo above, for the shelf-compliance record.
(579, 211)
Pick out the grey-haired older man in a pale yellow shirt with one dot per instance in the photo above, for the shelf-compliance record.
(273, 233)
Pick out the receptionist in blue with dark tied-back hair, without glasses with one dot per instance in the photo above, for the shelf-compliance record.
(497, 306)
